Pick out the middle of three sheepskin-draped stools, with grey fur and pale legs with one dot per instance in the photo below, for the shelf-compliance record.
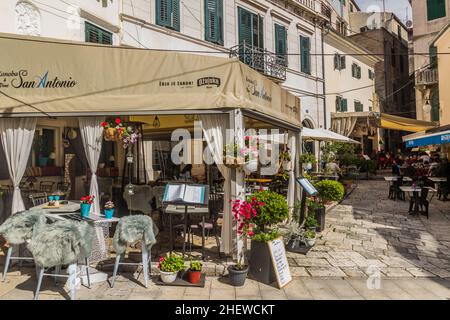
(62, 243)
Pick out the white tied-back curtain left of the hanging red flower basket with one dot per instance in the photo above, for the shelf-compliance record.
(92, 136)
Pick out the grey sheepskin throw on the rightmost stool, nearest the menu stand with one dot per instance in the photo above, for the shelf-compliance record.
(131, 229)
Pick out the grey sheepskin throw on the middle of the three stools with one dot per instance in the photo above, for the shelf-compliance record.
(62, 243)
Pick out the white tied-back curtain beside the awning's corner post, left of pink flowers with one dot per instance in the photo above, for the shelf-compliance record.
(214, 128)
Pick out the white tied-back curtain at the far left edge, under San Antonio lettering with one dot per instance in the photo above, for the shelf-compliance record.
(17, 136)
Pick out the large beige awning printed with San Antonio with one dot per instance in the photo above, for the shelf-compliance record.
(71, 78)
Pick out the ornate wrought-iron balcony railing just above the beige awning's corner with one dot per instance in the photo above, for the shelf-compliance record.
(266, 62)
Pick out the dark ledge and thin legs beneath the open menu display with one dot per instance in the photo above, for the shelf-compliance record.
(182, 210)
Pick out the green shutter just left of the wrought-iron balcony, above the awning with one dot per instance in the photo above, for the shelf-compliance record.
(213, 21)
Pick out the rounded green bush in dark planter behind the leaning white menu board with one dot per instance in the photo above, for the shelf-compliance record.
(274, 210)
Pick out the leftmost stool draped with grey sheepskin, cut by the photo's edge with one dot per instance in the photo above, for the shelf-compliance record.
(18, 229)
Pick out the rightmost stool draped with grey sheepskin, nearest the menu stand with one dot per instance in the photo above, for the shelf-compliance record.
(131, 229)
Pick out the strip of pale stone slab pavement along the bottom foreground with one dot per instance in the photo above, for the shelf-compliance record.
(21, 286)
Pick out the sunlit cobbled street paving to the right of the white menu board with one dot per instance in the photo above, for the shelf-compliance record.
(368, 233)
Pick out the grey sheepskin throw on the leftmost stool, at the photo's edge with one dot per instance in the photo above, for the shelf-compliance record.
(19, 228)
